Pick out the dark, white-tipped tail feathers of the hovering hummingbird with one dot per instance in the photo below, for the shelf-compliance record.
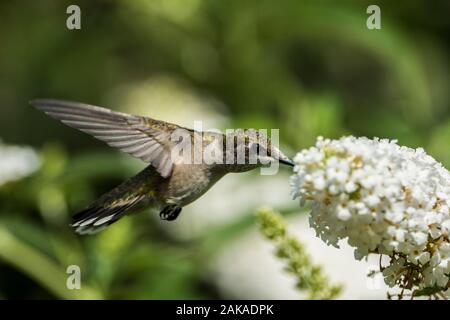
(126, 198)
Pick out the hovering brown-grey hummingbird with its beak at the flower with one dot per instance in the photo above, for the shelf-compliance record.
(170, 181)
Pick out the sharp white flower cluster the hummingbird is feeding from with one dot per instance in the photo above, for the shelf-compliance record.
(383, 198)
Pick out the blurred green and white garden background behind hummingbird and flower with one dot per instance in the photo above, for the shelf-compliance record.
(306, 67)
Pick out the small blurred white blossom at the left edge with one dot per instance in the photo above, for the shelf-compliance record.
(17, 162)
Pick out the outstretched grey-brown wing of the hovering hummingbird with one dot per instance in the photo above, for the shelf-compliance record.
(144, 138)
